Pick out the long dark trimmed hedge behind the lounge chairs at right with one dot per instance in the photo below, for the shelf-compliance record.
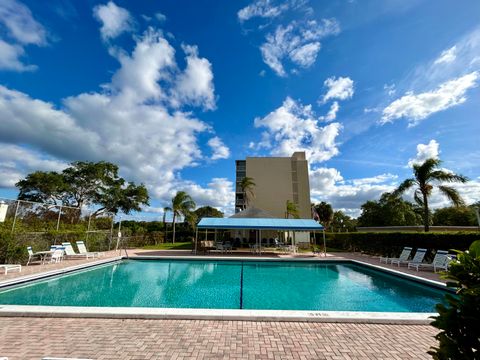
(391, 244)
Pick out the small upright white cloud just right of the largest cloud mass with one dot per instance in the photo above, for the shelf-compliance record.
(195, 84)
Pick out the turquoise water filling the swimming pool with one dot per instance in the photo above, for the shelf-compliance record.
(337, 286)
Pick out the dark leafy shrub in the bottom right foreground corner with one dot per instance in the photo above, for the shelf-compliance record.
(459, 320)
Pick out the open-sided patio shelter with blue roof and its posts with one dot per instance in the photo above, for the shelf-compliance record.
(259, 225)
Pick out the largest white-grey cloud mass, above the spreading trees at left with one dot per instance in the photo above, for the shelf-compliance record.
(130, 123)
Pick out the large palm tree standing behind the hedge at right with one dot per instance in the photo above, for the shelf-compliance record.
(424, 176)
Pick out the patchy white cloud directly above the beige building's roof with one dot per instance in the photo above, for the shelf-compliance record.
(294, 127)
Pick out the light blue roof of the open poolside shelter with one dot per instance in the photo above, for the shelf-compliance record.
(260, 224)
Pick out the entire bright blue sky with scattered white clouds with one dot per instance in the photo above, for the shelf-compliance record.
(175, 91)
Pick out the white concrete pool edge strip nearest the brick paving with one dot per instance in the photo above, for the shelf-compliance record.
(216, 314)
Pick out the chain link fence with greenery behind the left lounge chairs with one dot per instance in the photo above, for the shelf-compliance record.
(40, 225)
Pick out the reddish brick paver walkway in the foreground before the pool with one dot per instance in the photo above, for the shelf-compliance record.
(33, 338)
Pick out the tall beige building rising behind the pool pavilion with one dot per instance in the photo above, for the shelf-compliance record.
(277, 179)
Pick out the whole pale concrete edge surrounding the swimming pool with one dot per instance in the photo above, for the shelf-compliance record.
(213, 314)
